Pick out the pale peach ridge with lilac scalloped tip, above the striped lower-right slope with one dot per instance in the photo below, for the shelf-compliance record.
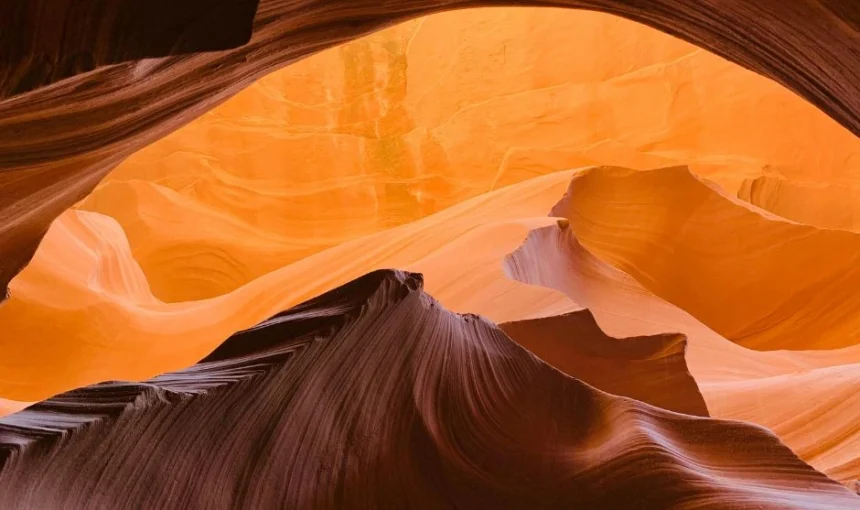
(553, 257)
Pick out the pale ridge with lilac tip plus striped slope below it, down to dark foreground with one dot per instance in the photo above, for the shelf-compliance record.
(821, 423)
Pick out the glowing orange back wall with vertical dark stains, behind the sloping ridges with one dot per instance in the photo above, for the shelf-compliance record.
(412, 119)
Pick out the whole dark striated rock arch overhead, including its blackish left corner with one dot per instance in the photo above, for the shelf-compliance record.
(60, 134)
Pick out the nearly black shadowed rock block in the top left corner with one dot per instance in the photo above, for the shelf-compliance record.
(45, 41)
